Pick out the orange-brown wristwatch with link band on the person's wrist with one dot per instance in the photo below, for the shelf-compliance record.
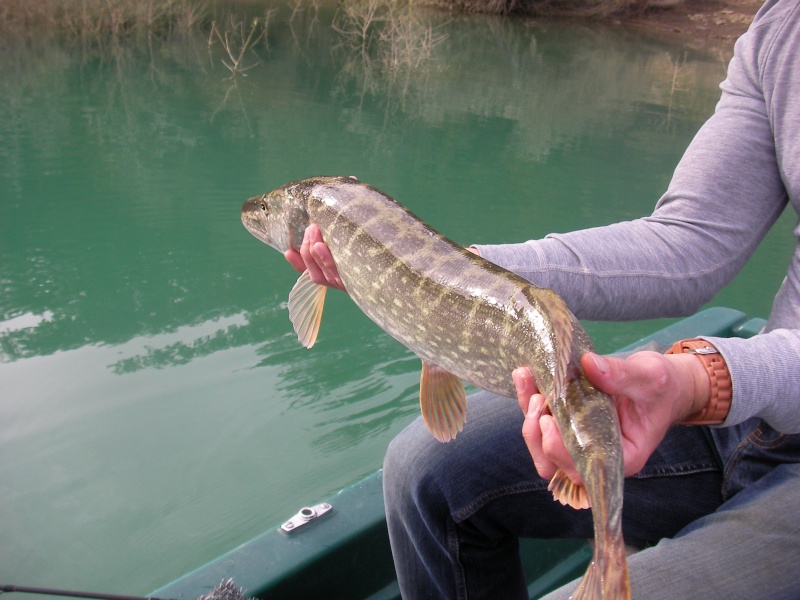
(719, 402)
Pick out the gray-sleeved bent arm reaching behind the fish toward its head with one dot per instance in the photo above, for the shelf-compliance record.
(726, 193)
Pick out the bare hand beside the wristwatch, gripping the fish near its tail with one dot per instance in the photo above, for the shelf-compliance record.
(652, 391)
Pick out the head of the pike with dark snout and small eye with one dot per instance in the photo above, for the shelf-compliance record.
(278, 218)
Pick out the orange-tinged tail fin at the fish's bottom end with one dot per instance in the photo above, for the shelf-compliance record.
(607, 575)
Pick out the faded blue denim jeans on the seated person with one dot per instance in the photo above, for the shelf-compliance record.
(716, 512)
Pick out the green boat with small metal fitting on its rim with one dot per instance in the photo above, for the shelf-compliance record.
(339, 548)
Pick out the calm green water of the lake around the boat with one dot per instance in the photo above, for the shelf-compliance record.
(155, 408)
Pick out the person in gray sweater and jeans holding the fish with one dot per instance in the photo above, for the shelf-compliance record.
(712, 508)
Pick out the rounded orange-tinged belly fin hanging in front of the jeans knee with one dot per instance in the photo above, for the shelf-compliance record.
(443, 402)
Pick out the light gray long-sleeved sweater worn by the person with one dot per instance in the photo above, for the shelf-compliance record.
(729, 188)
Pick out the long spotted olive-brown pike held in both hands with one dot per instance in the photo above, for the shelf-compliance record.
(467, 319)
